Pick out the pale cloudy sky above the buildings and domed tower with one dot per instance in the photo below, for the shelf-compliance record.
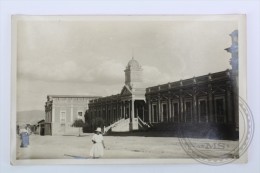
(88, 57)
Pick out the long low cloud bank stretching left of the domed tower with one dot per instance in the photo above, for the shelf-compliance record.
(107, 72)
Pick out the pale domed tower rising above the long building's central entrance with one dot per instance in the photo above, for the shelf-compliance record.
(133, 73)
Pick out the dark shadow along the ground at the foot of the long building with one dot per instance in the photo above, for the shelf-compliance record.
(209, 131)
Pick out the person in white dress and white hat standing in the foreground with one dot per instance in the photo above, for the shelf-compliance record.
(97, 150)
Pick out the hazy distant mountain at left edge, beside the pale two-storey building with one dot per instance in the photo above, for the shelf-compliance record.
(30, 117)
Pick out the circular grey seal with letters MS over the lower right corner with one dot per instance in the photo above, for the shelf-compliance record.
(223, 143)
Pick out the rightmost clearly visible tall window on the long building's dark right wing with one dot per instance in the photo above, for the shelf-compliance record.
(220, 110)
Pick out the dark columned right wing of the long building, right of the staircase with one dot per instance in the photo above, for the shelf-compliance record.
(203, 99)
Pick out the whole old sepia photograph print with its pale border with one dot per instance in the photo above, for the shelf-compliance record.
(130, 89)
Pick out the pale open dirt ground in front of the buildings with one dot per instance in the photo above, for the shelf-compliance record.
(68, 147)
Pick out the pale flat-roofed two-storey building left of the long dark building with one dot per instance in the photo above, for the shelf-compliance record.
(62, 110)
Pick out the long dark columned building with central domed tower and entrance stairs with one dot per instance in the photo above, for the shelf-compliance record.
(199, 101)
